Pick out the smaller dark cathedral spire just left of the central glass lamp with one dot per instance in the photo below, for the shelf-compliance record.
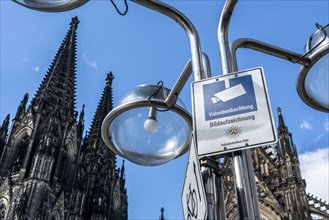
(104, 106)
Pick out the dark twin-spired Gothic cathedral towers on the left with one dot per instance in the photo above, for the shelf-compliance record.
(48, 170)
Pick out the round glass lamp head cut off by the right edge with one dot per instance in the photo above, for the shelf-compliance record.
(313, 80)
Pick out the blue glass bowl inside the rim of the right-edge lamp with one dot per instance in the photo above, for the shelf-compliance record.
(317, 82)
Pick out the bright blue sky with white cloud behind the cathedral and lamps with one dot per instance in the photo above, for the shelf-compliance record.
(144, 47)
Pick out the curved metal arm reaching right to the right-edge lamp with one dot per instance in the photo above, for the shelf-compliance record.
(268, 49)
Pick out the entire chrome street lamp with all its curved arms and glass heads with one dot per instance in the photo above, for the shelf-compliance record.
(147, 106)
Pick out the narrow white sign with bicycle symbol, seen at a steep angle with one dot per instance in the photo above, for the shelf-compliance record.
(193, 195)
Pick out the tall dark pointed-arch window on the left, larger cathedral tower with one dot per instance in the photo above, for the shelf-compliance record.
(21, 149)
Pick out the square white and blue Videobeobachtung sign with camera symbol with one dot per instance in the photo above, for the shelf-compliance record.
(232, 112)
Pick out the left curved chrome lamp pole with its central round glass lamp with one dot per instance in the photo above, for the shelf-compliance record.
(172, 149)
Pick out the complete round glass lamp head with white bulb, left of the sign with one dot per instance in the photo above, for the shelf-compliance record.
(138, 132)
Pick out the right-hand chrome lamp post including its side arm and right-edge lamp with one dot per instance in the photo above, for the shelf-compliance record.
(315, 95)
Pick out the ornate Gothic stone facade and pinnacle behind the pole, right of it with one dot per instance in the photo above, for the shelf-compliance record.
(280, 186)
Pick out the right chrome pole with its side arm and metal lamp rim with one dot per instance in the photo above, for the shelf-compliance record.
(245, 186)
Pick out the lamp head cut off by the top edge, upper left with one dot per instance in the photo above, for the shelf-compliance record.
(51, 5)
